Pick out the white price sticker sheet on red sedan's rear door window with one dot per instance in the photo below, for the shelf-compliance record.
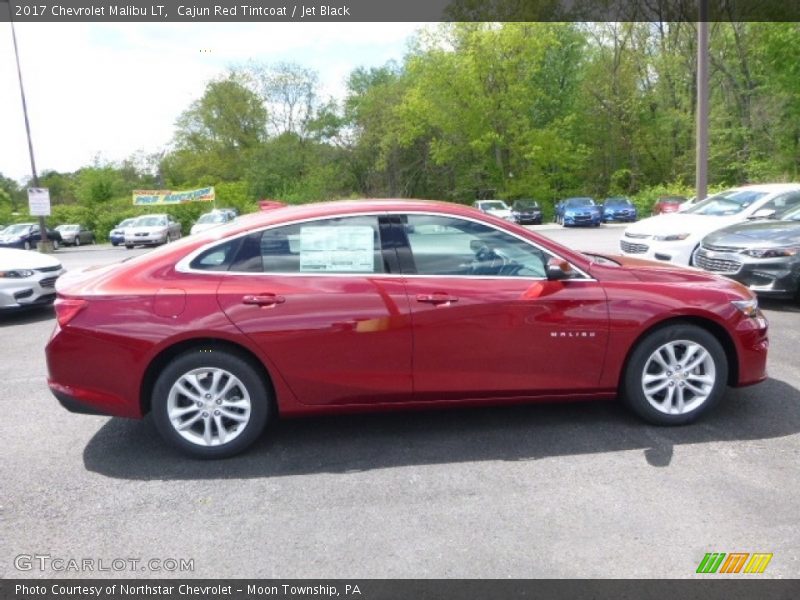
(345, 249)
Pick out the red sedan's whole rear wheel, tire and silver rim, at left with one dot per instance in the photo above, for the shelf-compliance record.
(210, 403)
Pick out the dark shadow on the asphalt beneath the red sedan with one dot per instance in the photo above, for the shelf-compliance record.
(133, 450)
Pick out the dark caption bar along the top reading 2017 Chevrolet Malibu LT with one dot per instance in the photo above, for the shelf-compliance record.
(393, 10)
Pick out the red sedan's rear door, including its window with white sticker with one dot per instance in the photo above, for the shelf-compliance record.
(321, 302)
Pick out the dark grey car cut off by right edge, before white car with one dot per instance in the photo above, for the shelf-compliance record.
(765, 255)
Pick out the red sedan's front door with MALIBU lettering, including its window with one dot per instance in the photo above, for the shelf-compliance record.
(486, 321)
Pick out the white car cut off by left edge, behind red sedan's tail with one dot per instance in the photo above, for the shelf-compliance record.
(27, 278)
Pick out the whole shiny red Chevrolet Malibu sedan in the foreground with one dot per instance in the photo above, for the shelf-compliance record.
(373, 305)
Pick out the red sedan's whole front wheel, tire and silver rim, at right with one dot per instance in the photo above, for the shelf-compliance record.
(675, 374)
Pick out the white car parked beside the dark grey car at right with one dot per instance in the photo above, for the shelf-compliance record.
(674, 237)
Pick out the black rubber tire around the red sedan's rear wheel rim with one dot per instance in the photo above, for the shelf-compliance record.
(252, 385)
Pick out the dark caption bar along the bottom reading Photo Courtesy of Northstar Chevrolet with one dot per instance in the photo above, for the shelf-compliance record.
(706, 588)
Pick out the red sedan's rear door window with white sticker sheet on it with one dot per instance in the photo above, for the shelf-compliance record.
(341, 245)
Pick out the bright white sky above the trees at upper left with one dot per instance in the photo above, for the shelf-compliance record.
(110, 90)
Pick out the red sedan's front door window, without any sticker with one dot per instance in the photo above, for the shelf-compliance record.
(451, 246)
